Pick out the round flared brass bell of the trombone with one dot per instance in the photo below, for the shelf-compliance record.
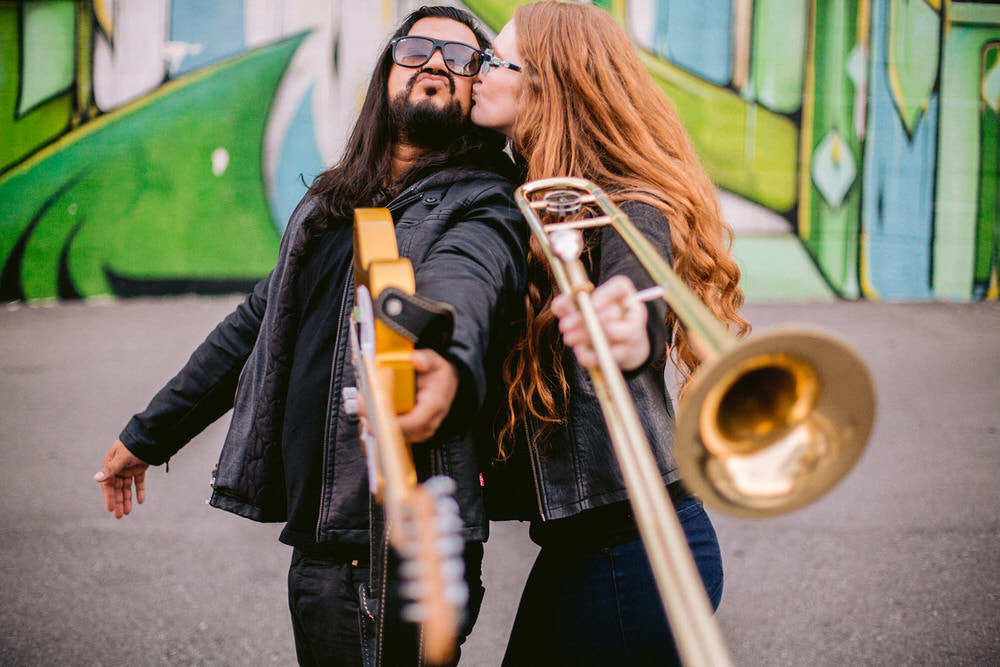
(773, 424)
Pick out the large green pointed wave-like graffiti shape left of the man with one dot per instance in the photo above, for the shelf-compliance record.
(168, 187)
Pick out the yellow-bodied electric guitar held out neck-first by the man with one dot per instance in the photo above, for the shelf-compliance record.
(421, 520)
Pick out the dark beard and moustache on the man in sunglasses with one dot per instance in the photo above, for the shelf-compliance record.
(424, 123)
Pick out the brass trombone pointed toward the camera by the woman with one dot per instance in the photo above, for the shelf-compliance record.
(765, 427)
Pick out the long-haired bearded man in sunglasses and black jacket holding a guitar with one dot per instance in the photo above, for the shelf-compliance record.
(292, 452)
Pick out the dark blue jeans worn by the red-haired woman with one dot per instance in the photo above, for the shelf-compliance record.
(603, 607)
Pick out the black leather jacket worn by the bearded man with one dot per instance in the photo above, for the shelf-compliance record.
(466, 240)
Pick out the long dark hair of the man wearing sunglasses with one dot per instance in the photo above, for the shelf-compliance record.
(360, 178)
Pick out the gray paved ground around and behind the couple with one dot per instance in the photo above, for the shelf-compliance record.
(899, 565)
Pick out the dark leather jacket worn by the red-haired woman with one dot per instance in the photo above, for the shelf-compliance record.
(576, 469)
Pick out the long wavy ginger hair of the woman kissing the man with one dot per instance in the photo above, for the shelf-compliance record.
(589, 109)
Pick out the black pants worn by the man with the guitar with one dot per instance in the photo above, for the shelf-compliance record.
(327, 614)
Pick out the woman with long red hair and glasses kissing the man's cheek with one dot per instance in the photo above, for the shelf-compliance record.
(563, 82)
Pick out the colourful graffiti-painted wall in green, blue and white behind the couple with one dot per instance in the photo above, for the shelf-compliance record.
(158, 146)
